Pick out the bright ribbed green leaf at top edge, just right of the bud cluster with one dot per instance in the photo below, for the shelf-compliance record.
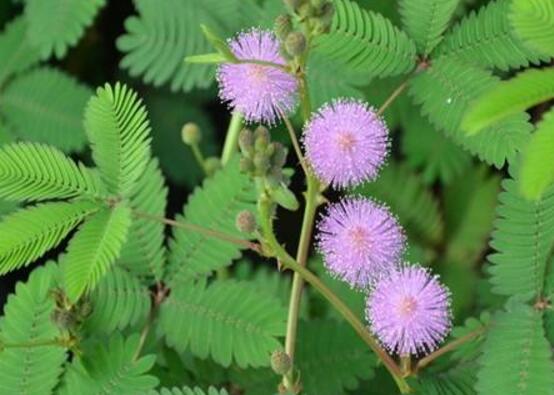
(367, 42)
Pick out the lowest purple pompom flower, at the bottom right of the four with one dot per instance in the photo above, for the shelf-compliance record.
(410, 311)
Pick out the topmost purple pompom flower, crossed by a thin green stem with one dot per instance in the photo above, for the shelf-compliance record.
(259, 92)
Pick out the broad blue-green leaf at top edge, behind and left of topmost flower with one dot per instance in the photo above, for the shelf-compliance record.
(158, 39)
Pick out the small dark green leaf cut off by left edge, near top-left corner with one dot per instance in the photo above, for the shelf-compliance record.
(16, 52)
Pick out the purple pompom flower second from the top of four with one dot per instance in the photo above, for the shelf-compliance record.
(346, 143)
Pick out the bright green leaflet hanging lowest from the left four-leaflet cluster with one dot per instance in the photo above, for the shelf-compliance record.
(94, 248)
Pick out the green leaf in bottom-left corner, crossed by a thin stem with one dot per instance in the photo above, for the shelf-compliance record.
(26, 320)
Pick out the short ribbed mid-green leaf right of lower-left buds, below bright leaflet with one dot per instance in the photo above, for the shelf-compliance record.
(118, 301)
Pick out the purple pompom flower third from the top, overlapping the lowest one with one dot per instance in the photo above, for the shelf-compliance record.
(360, 240)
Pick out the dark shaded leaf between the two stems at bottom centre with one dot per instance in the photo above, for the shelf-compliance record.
(331, 358)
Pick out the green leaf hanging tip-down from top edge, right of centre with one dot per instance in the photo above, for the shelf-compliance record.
(426, 20)
